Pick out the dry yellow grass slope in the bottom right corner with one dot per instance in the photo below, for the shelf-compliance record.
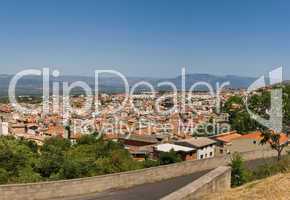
(273, 188)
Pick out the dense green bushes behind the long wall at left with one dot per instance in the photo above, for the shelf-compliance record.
(22, 161)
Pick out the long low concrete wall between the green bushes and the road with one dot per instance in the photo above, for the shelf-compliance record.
(47, 190)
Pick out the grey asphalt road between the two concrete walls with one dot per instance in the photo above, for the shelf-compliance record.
(148, 191)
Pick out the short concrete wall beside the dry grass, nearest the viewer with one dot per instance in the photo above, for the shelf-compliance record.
(216, 180)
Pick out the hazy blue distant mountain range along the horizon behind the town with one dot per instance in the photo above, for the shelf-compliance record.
(32, 85)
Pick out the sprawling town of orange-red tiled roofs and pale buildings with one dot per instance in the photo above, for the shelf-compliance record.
(199, 132)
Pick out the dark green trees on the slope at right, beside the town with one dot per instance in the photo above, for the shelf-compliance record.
(259, 103)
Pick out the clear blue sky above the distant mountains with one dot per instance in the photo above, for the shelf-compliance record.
(146, 38)
